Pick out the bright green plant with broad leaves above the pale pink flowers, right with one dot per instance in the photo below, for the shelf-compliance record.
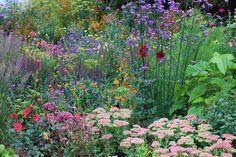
(206, 83)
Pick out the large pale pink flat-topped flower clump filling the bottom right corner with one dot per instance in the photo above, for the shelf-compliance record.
(181, 137)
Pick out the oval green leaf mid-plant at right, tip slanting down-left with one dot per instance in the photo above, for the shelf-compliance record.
(197, 92)
